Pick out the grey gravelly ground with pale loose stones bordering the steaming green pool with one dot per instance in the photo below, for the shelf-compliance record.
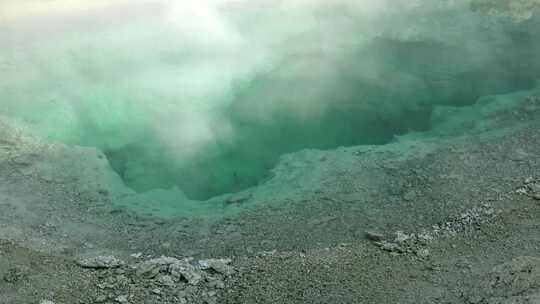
(452, 217)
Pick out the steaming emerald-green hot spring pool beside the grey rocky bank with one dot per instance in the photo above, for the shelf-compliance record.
(213, 114)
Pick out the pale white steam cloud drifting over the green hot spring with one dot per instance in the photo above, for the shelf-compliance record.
(113, 73)
